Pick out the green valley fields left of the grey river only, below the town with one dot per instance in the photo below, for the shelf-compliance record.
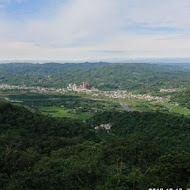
(65, 105)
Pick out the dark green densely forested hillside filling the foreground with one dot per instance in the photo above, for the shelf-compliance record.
(141, 150)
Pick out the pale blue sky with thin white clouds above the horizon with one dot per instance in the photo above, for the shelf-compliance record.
(94, 30)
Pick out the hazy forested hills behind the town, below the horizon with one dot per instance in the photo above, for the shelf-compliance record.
(139, 77)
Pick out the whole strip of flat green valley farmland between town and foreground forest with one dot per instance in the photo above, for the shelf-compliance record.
(84, 106)
